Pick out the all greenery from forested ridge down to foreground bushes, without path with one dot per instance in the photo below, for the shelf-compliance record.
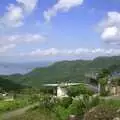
(81, 101)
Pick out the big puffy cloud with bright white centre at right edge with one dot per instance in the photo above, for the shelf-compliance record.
(110, 28)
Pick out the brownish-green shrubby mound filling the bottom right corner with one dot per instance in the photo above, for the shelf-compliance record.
(106, 110)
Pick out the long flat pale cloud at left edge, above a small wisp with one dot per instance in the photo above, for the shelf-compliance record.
(17, 38)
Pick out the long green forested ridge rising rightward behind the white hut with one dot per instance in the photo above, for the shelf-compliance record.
(66, 70)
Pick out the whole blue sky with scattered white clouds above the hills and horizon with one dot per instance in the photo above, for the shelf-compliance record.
(35, 30)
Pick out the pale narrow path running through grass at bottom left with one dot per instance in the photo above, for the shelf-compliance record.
(8, 115)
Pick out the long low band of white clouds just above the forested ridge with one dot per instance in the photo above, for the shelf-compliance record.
(82, 52)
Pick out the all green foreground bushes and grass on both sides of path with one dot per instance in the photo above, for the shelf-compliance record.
(79, 103)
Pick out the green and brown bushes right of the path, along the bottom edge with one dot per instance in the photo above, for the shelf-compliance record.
(95, 109)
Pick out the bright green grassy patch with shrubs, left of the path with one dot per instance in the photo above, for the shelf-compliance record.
(15, 100)
